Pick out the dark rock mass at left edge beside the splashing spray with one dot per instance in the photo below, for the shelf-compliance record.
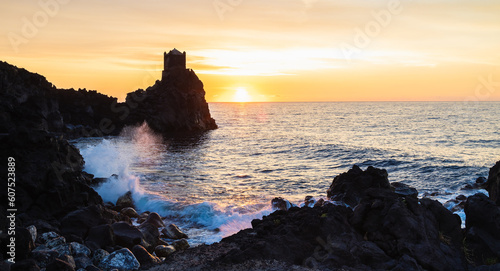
(51, 182)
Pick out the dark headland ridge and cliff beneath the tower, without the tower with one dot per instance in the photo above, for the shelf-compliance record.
(174, 104)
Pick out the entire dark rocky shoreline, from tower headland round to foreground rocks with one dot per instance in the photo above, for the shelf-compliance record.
(61, 223)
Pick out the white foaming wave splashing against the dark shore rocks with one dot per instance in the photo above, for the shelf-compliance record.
(205, 222)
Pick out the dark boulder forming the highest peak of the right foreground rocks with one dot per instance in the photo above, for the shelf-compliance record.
(350, 187)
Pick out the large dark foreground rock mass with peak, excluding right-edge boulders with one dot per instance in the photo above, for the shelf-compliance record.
(384, 231)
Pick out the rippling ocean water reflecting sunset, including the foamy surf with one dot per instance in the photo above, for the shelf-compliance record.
(212, 185)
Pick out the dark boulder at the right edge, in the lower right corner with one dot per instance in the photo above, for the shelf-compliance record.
(482, 240)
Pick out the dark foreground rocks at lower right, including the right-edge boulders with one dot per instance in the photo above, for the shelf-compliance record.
(384, 227)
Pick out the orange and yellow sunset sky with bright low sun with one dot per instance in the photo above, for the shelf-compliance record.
(264, 50)
